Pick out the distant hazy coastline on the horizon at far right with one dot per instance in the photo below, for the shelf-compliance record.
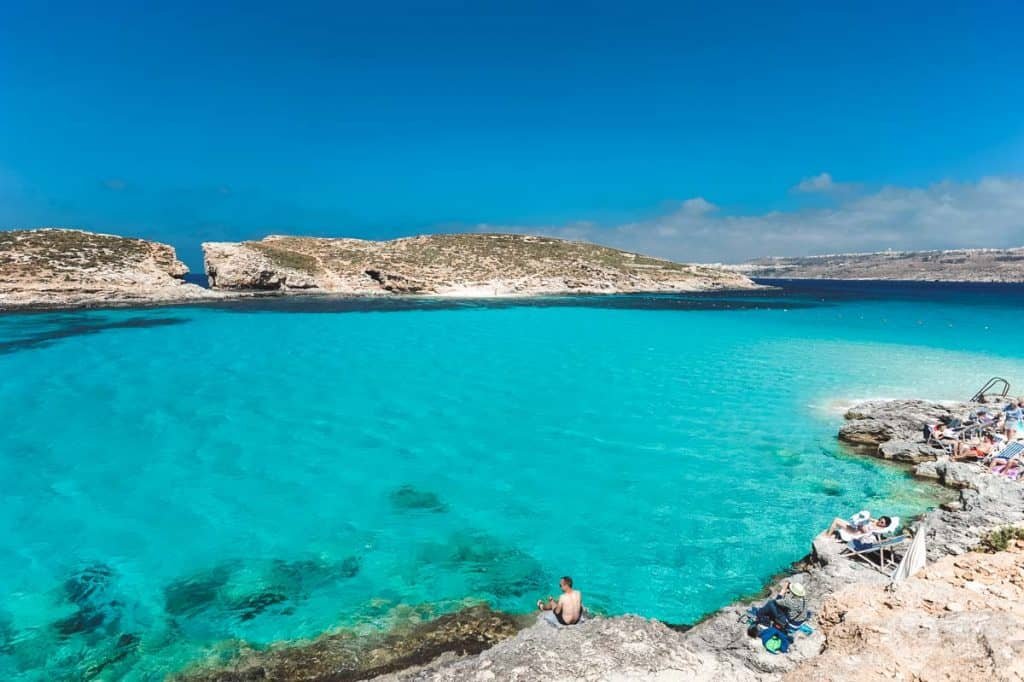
(954, 266)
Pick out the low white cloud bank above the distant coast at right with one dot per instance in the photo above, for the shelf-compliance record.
(946, 216)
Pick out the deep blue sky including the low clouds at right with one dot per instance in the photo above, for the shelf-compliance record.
(681, 130)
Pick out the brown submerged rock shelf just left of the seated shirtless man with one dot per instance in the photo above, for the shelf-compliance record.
(343, 657)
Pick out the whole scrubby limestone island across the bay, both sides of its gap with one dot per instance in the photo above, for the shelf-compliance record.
(66, 269)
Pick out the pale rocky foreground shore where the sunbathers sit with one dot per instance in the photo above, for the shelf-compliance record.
(960, 616)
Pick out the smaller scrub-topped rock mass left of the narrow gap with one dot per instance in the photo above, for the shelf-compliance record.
(54, 268)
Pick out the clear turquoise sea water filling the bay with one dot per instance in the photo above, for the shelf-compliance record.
(178, 481)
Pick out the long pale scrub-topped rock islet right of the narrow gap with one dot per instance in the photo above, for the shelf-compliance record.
(467, 265)
